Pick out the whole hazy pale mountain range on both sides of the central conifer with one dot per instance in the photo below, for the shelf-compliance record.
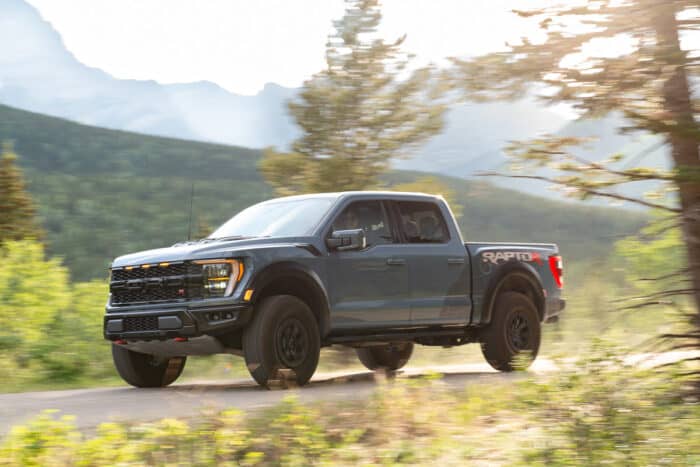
(39, 74)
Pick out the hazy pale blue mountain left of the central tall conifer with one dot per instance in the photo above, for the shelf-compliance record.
(38, 73)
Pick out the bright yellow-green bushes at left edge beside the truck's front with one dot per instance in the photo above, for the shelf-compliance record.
(50, 330)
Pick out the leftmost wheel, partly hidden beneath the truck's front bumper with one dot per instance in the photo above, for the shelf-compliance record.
(146, 371)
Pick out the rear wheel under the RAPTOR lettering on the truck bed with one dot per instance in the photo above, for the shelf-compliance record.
(512, 340)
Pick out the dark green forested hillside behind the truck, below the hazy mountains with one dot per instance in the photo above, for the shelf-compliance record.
(103, 193)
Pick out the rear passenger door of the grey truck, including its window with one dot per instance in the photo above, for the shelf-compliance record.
(438, 265)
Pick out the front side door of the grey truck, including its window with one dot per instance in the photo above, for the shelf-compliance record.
(369, 287)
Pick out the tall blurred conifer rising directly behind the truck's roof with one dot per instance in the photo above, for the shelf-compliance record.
(358, 113)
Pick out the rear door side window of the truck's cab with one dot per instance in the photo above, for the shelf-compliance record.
(422, 222)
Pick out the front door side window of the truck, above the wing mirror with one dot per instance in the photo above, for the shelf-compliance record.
(368, 216)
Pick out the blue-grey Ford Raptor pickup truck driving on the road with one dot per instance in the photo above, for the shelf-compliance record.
(376, 271)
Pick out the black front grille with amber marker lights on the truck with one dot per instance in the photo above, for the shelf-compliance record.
(156, 283)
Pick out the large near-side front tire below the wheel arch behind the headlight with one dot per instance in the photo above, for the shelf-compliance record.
(282, 335)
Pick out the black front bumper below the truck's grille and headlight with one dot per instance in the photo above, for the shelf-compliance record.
(171, 320)
